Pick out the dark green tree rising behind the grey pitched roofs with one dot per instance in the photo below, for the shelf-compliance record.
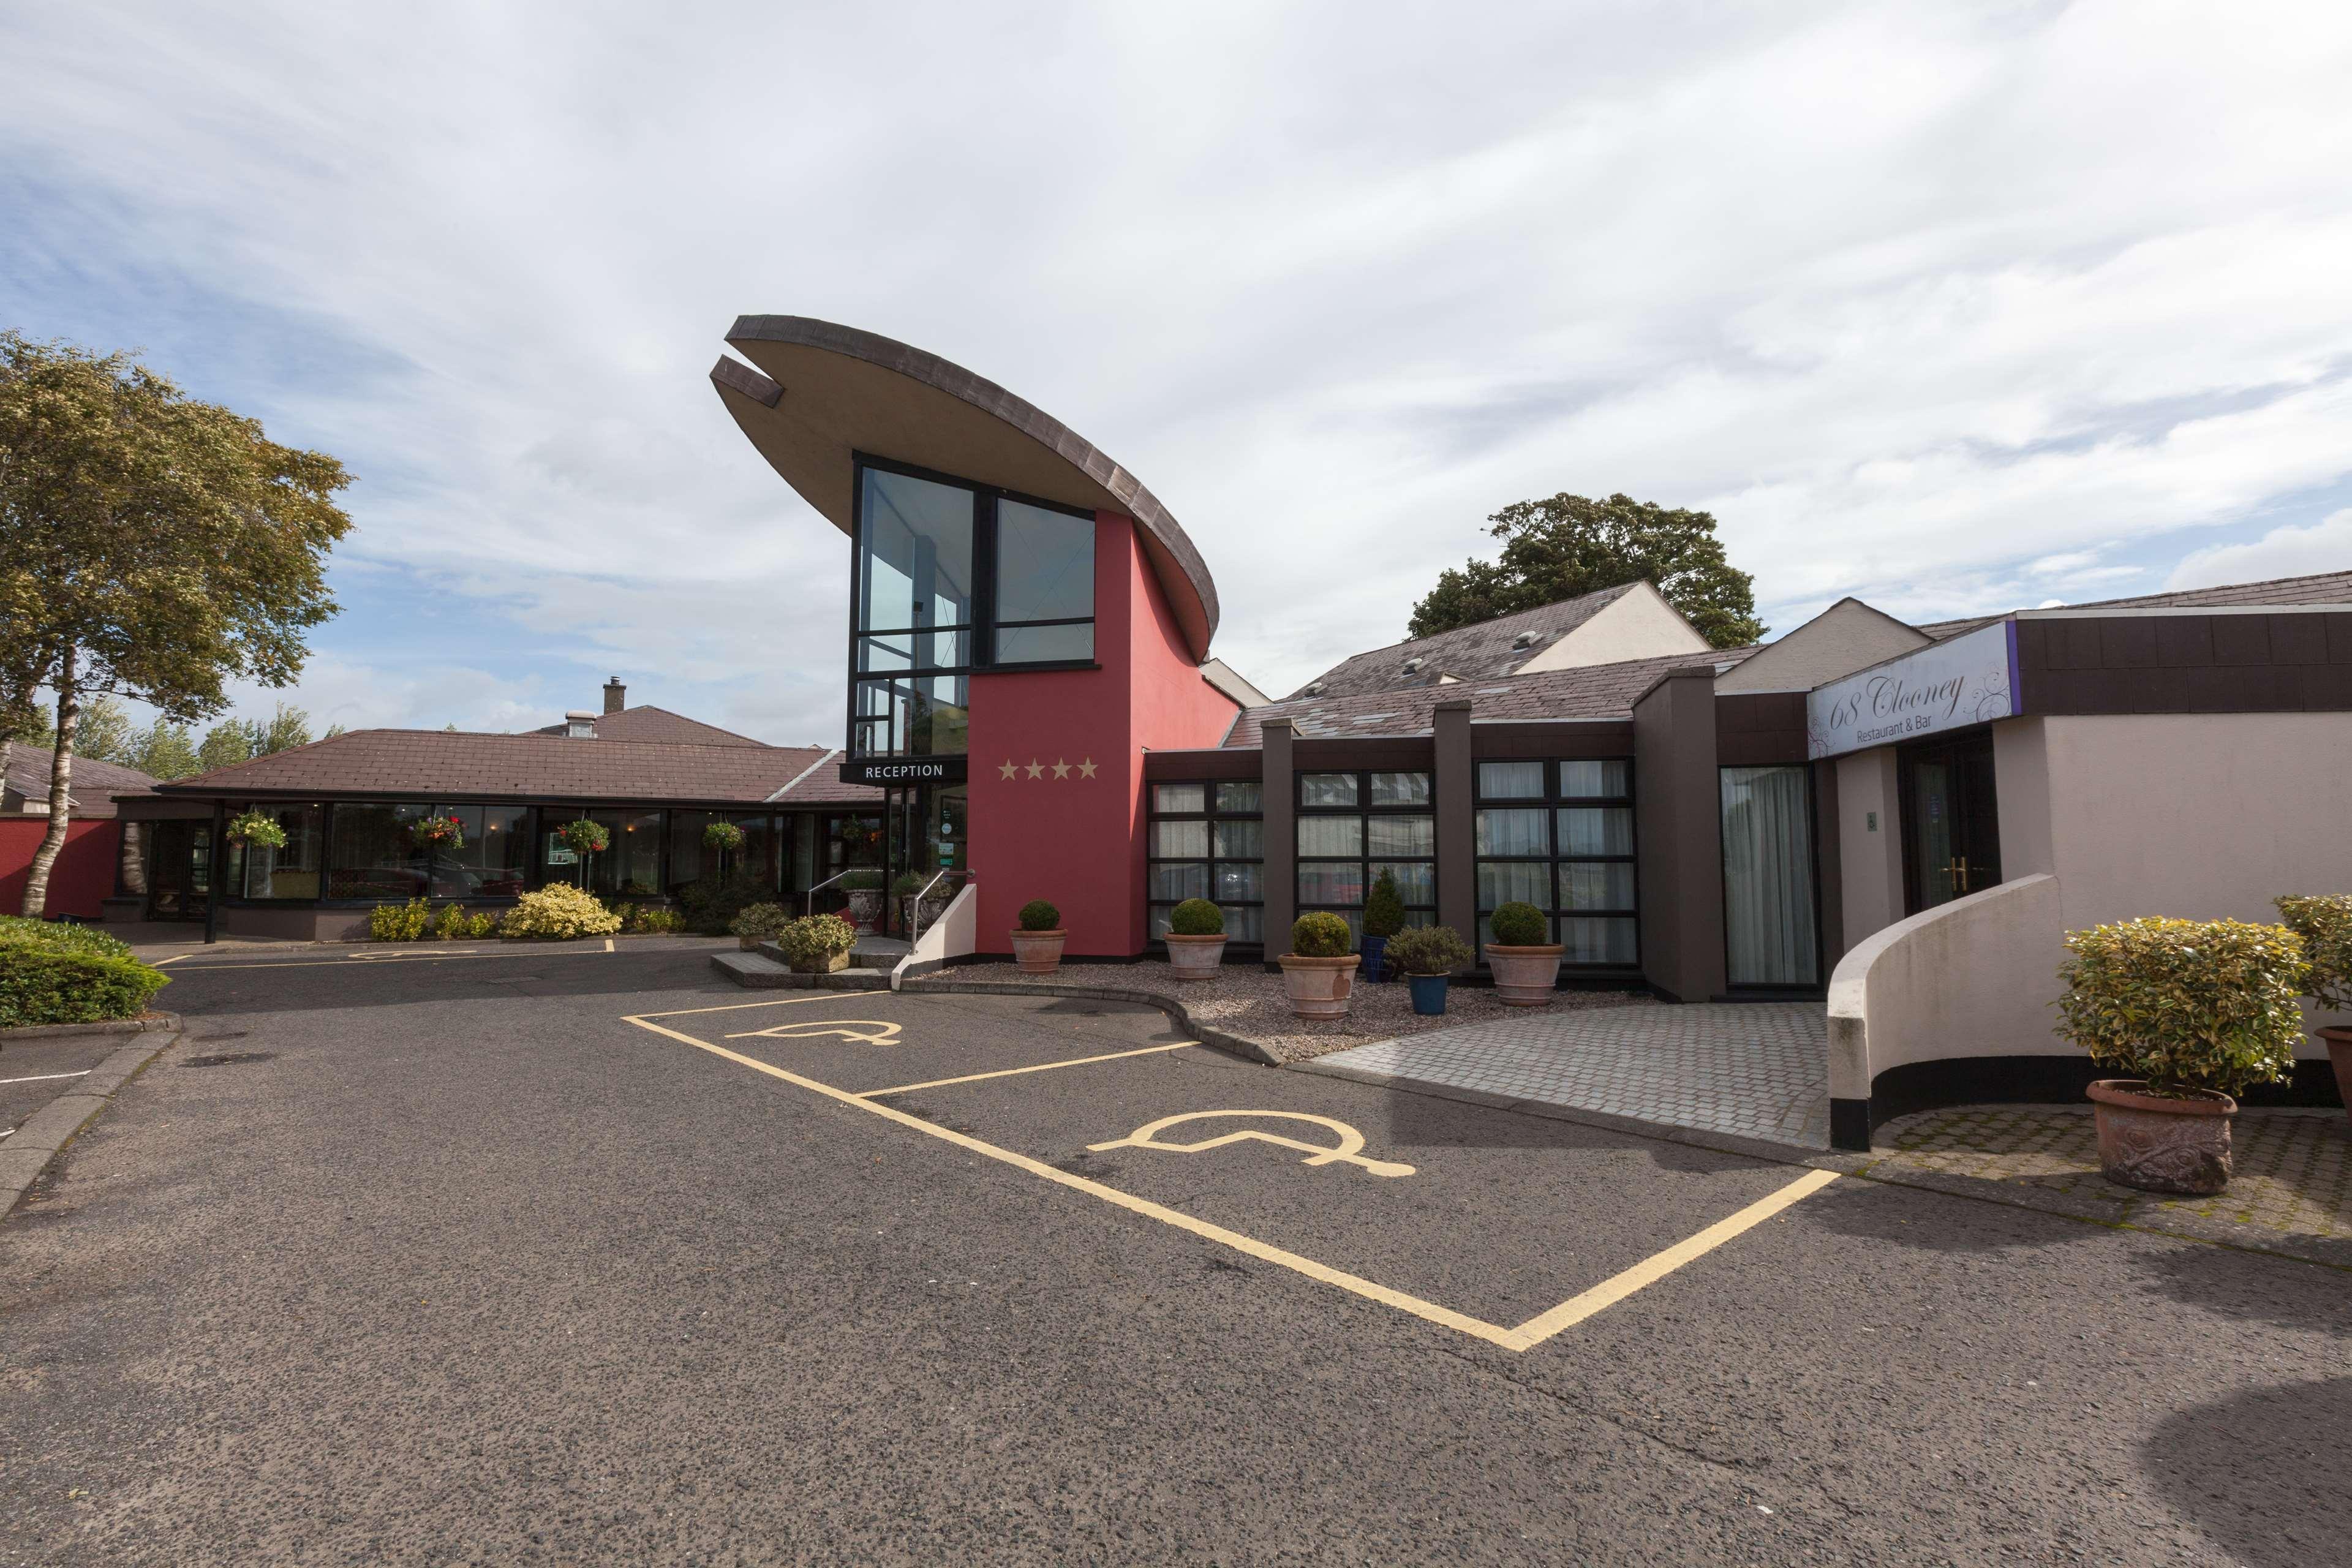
(1570, 547)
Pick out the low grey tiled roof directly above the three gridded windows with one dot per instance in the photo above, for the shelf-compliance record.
(1584, 692)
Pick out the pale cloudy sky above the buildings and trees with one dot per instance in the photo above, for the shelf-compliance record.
(1951, 307)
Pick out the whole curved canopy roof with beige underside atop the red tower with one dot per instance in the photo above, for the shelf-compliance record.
(822, 391)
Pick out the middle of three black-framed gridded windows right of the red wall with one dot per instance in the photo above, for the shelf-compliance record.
(1356, 826)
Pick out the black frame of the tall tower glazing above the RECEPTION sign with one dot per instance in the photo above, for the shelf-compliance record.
(980, 634)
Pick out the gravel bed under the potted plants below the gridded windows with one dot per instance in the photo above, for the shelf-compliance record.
(1250, 1003)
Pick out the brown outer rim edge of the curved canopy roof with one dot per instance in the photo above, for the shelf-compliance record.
(1175, 561)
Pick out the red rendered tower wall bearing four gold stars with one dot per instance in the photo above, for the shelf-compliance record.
(1067, 836)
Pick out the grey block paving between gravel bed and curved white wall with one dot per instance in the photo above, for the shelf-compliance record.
(1753, 1068)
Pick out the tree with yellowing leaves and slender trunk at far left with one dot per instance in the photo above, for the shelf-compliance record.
(152, 547)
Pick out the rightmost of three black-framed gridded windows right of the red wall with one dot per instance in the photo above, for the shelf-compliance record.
(1561, 836)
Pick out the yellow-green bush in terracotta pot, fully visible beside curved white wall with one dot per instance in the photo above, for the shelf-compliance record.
(2193, 1010)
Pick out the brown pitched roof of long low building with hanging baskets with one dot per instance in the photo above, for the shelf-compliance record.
(441, 763)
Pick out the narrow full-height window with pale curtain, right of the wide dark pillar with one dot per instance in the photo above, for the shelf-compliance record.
(1770, 878)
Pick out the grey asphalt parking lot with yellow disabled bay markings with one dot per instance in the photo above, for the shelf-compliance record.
(584, 1257)
